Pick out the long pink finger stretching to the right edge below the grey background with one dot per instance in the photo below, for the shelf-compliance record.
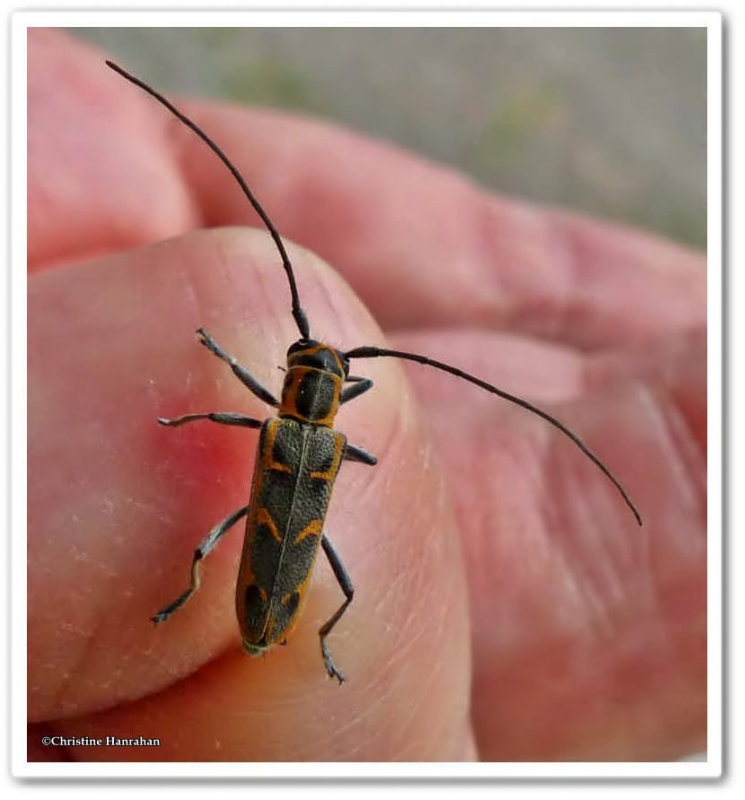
(425, 247)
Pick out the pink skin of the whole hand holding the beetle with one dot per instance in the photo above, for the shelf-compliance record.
(507, 605)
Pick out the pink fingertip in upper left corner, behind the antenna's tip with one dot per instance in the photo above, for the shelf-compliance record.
(102, 172)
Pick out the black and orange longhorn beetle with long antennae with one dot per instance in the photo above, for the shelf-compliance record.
(298, 458)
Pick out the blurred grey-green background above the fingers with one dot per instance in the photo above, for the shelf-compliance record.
(607, 121)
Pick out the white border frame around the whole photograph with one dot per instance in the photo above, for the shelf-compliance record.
(345, 18)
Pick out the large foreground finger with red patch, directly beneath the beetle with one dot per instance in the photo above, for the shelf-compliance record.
(117, 505)
